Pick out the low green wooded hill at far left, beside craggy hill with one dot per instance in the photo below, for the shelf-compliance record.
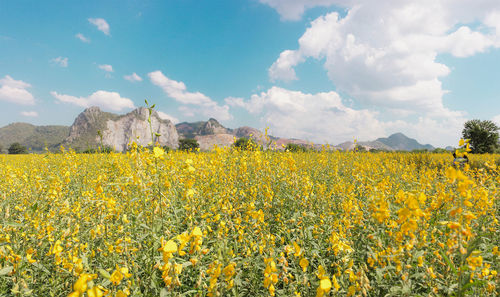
(33, 137)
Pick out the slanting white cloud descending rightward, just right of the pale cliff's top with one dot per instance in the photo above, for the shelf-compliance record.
(198, 103)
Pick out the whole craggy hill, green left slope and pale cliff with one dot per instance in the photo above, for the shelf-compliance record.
(117, 131)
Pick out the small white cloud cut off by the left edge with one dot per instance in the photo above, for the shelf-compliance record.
(14, 91)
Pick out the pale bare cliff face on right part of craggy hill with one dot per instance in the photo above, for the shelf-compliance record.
(134, 126)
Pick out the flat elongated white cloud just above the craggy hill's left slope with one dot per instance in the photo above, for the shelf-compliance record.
(104, 99)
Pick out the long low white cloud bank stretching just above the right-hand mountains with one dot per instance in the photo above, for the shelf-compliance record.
(324, 118)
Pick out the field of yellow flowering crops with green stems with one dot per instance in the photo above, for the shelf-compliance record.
(248, 223)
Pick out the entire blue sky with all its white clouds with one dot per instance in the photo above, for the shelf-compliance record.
(322, 70)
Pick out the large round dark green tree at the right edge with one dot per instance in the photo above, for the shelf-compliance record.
(482, 135)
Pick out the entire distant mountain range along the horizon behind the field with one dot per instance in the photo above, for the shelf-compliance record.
(94, 127)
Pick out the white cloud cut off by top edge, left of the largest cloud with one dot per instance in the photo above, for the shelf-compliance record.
(292, 10)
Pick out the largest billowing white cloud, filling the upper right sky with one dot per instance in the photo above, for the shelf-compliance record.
(383, 53)
